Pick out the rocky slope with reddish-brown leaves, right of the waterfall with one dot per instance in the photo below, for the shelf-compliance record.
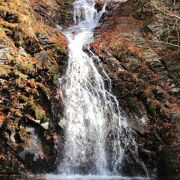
(138, 44)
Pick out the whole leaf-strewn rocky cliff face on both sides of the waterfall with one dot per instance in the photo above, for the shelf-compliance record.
(138, 45)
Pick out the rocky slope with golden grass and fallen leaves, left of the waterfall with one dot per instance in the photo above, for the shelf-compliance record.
(32, 53)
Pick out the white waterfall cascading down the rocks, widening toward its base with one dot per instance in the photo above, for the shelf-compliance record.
(96, 134)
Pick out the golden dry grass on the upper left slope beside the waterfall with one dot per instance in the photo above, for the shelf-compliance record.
(29, 23)
